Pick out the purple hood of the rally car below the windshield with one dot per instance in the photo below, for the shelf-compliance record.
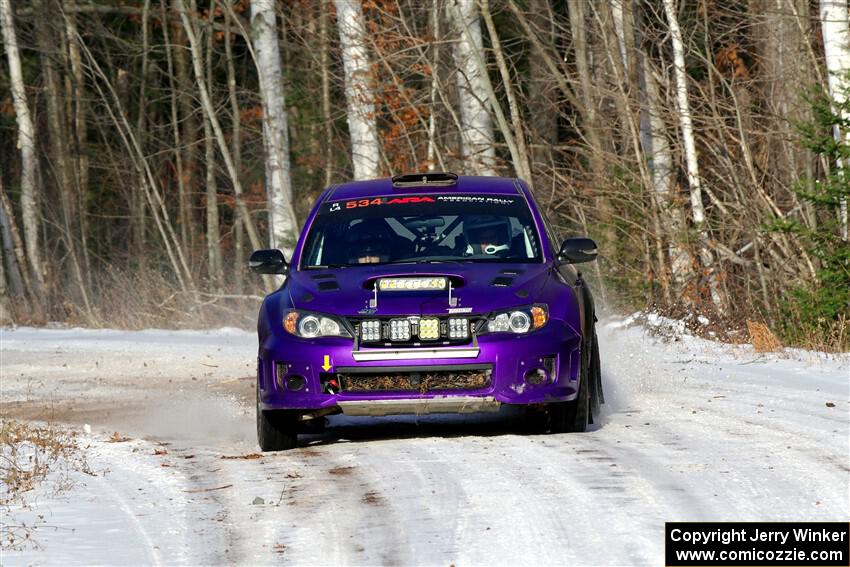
(480, 288)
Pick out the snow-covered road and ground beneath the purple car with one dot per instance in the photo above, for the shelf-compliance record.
(693, 431)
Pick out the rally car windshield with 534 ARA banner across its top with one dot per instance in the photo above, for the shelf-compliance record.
(419, 228)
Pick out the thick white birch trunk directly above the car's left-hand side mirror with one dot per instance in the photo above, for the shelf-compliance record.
(282, 220)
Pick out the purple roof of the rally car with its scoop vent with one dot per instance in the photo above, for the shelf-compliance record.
(386, 186)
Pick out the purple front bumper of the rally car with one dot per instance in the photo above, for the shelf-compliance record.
(540, 367)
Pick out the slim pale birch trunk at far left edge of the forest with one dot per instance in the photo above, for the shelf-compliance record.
(26, 142)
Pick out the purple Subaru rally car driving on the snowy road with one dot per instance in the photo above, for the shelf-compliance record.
(426, 293)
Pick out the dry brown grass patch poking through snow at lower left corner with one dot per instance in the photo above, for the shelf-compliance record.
(30, 456)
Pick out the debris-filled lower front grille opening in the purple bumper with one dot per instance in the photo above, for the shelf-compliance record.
(421, 380)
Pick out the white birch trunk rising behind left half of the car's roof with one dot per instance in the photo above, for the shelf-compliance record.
(362, 127)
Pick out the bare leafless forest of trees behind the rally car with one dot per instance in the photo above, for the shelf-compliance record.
(147, 146)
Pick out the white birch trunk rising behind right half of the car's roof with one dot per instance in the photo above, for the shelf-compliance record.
(477, 140)
